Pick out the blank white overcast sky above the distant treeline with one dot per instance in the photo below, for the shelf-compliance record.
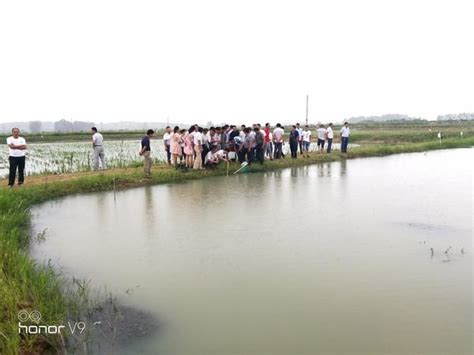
(239, 61)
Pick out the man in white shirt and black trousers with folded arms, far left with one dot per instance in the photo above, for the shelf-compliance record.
(16, 157)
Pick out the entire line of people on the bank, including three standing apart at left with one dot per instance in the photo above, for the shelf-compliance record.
(199, 148)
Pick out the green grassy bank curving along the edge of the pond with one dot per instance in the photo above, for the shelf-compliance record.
(26, 285)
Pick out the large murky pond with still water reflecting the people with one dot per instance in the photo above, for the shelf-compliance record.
(369, 256)
